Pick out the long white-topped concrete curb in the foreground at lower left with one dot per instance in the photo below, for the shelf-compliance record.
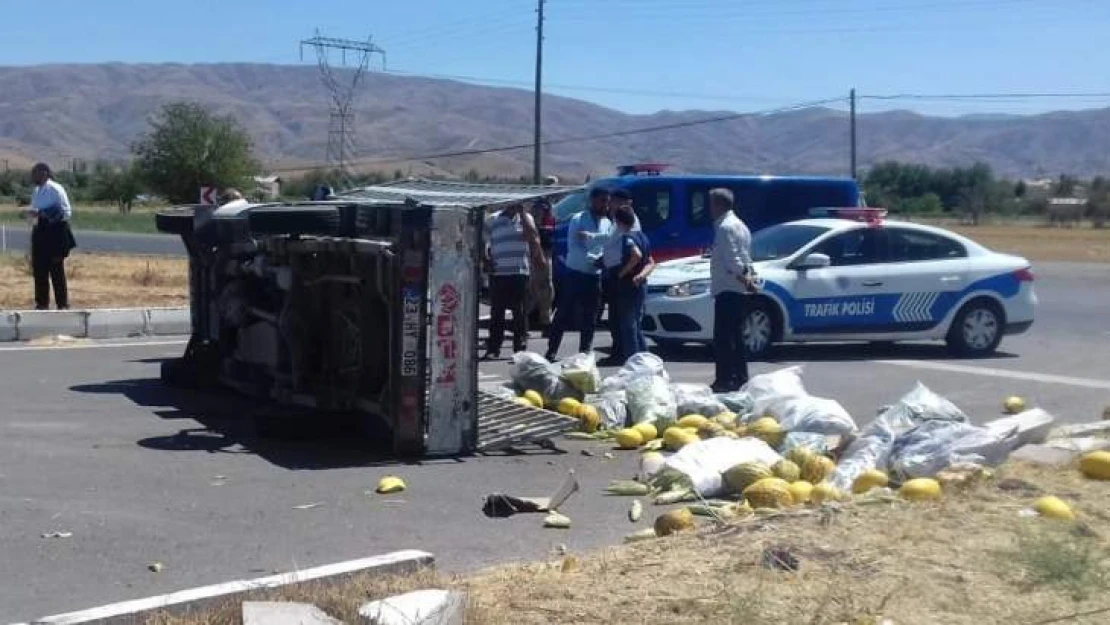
(206, 598)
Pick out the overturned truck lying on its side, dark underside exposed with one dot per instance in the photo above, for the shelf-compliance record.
(365, 306)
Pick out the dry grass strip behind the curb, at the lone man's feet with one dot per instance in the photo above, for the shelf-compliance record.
(103, 281)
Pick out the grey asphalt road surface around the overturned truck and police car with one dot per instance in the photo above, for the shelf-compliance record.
(92, 445)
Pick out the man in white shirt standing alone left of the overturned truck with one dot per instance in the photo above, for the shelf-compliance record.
(52, 238)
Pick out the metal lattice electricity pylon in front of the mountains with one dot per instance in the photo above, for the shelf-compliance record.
(341, 119)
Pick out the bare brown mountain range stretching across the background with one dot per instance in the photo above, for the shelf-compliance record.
(97, 112)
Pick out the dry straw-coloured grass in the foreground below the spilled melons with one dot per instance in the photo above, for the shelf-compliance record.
(971, 559)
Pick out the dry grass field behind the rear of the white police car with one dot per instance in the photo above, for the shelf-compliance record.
(1042, 244)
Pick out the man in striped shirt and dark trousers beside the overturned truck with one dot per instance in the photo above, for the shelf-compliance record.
(513, 249)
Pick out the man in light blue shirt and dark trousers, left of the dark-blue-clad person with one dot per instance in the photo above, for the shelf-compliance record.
(580, 285)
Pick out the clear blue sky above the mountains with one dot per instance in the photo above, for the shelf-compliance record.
(639, 56)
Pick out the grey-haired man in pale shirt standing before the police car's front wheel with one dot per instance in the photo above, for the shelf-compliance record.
(732, 280)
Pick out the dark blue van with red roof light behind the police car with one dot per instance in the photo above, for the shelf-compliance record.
(674, 209)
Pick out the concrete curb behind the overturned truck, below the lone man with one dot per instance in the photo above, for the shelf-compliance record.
(95, 324)
